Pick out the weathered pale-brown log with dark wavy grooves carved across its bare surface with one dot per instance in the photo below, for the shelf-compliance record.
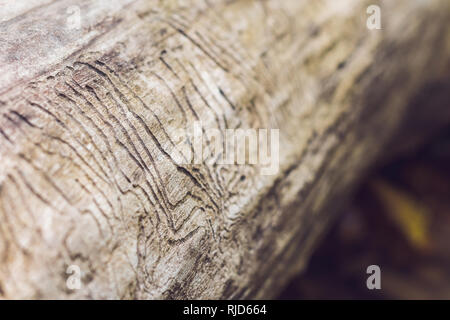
(90, 115)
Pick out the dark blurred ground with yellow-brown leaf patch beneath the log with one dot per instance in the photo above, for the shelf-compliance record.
(399, 220)
